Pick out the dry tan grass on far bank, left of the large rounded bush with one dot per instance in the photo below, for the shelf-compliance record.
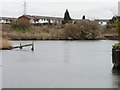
(36, 32)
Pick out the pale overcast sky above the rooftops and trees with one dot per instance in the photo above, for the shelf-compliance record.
(77, 8)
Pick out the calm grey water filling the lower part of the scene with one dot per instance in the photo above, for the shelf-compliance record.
(60, 64)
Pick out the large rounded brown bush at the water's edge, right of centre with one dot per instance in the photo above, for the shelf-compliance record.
(83, 29)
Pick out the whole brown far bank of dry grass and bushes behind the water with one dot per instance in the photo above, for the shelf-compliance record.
(83, 30)
